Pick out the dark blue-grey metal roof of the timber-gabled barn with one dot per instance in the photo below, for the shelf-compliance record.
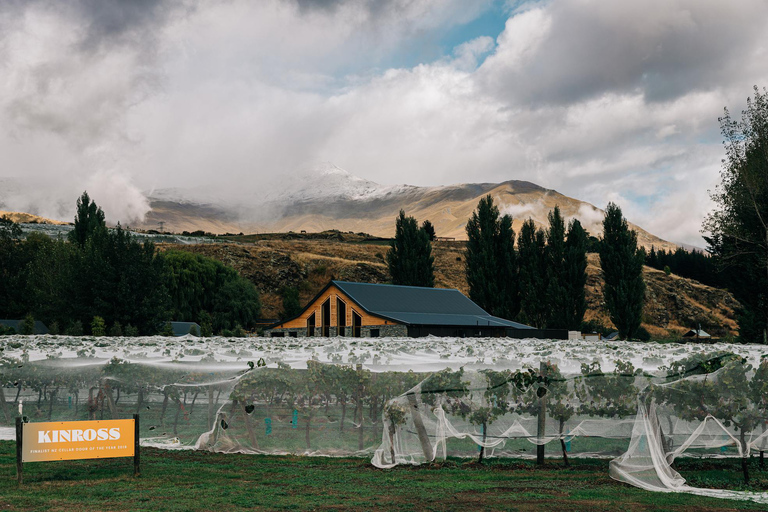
(421, 306)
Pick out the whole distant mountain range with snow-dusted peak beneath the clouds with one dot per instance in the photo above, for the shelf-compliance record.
(331, 198)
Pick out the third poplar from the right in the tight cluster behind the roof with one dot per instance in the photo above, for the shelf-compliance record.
(534, 304)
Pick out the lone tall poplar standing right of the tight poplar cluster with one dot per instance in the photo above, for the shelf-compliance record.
(622, 264)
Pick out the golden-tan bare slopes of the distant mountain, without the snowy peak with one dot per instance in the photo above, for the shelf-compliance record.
(448, 208)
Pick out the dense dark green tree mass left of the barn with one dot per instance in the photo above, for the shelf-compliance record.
(103, 281)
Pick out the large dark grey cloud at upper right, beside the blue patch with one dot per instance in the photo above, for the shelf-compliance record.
(573, 50)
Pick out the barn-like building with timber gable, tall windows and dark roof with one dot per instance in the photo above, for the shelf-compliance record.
(373, 310)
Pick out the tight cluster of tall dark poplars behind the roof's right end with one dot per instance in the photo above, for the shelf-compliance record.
(541, 282)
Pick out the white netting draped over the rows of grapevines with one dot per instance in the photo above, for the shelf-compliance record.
(407, 401)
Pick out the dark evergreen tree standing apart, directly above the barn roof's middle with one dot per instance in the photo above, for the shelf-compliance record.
(409, 258)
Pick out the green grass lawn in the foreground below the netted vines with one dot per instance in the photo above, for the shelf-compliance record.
(217, 482)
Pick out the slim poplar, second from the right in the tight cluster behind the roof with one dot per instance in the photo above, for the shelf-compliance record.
(557, 291)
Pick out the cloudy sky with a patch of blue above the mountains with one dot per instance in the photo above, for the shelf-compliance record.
(598, 99)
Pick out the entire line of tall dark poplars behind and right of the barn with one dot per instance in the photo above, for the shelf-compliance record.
(538, 279)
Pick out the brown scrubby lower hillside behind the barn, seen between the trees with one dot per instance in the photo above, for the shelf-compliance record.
(673, 304)
